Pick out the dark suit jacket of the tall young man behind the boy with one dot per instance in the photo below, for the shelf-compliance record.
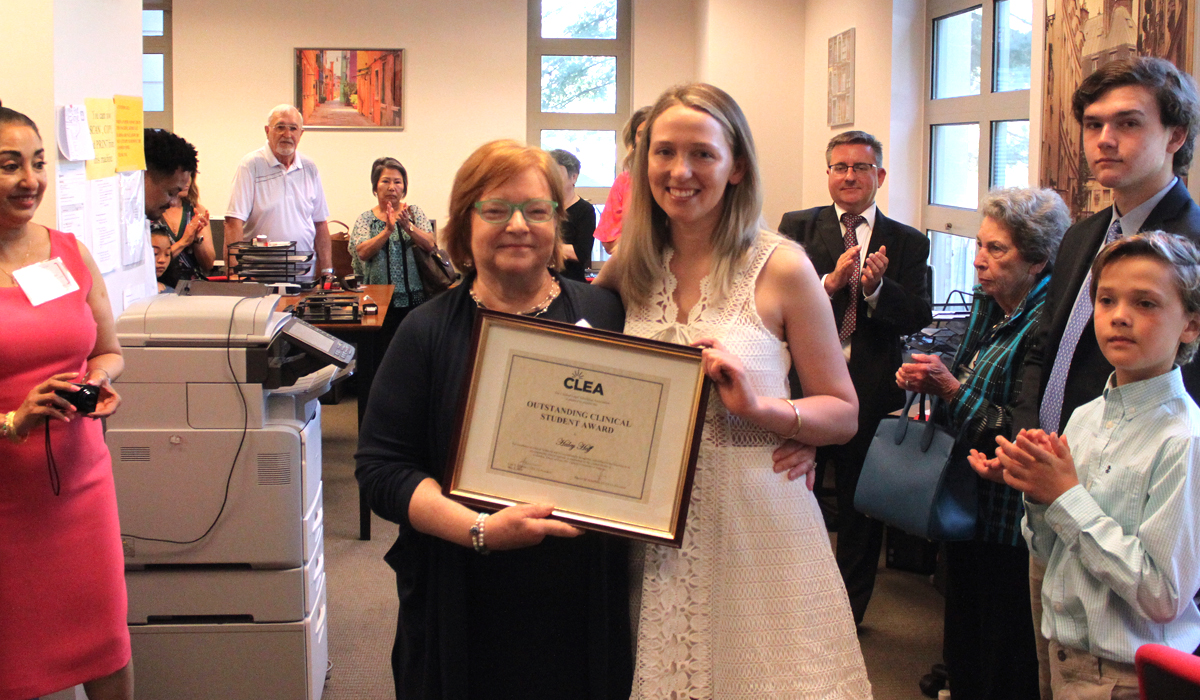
(1089, 369)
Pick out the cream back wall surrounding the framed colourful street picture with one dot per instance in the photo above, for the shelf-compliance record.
(465, 65)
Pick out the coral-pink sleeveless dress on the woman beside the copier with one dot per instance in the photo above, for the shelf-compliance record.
(63, 607)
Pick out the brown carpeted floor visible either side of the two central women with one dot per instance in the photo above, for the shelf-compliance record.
(902, 633)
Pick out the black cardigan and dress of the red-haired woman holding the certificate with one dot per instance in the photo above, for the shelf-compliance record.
(406, 438)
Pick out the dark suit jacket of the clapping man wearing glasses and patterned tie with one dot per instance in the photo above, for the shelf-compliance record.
(904, 307)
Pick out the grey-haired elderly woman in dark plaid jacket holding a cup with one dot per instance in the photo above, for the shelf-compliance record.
(989, 637)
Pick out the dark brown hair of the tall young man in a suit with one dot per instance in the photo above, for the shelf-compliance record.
(1173, 89)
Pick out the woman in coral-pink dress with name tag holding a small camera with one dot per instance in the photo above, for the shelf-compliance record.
(63, 607)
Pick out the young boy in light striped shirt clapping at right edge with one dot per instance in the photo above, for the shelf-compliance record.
(1112, 506)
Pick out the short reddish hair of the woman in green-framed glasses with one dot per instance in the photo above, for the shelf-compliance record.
(493, 165)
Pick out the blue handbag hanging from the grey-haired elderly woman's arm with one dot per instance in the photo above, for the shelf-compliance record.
(916, 477)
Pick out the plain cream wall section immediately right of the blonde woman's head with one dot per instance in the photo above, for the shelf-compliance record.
(755, 51)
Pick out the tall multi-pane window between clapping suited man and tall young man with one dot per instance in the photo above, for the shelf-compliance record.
(977, 123)
